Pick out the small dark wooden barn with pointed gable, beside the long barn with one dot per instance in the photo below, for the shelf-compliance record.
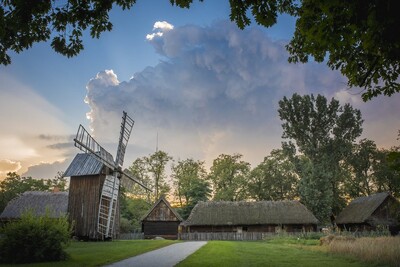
(161, 221)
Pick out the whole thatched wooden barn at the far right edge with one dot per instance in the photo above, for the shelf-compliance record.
(368, 213)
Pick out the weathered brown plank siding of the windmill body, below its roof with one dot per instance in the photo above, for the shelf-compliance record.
(83, 206)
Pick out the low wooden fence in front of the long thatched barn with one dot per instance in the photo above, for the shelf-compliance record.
(244, 236)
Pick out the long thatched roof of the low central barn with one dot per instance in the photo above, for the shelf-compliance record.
(250, 213)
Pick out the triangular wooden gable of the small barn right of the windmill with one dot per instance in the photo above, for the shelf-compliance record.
(162, 211)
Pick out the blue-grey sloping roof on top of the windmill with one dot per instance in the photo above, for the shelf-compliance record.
(84, 164)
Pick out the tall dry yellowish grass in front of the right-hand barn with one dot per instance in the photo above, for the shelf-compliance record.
(381, 250)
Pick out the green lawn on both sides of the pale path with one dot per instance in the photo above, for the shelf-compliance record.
(277, 252)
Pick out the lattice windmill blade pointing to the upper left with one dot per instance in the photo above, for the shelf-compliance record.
(85, 142)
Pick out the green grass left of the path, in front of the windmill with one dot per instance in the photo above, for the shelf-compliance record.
(100, 253)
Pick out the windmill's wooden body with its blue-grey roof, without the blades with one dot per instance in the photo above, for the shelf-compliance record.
(87, 178)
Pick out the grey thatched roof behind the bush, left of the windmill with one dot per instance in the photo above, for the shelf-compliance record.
(38, 202)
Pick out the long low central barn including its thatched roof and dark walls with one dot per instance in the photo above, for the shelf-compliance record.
(241, 216)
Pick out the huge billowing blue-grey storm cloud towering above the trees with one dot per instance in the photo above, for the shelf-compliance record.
(216, 91)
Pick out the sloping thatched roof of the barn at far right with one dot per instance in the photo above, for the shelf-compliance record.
(361, 209)
